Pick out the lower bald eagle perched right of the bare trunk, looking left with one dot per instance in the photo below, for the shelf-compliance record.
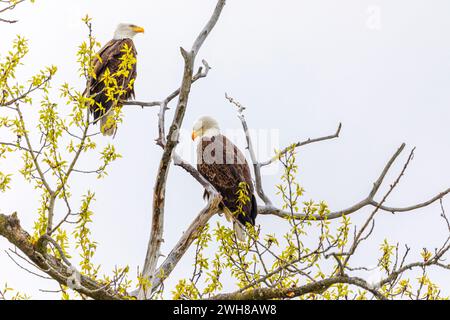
(225, 167)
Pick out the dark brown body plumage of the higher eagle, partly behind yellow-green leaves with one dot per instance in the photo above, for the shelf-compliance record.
(108, 58)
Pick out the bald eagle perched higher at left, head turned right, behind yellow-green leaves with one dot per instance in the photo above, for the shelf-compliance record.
(107, 62)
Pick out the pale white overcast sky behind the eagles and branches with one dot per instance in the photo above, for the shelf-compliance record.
(381, 67)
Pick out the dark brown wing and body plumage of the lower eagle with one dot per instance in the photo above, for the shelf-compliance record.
(225, 167)
